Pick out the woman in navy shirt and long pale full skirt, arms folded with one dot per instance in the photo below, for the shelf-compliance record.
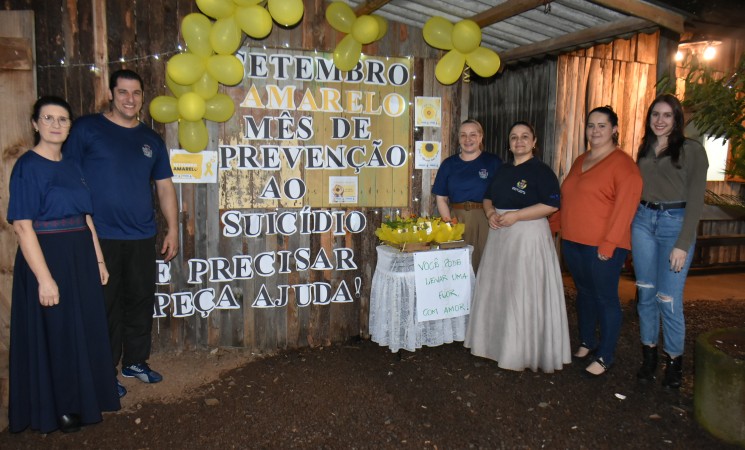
(518, 314)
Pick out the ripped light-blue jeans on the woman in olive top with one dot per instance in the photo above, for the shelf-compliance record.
(653, 235)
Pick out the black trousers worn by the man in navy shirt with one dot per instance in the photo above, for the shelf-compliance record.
(129, 297)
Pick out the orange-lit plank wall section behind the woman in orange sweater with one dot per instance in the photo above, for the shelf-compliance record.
(620, 74)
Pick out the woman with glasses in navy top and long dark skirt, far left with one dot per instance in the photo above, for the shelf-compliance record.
(60, 360)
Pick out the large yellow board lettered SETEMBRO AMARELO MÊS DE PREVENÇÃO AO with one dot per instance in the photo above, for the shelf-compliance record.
(300, 122)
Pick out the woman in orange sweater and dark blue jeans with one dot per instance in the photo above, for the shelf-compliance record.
(599, 198)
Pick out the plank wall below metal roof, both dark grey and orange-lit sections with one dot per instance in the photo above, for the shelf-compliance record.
(555, 95)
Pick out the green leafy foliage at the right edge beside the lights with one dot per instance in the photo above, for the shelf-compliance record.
(716, 101)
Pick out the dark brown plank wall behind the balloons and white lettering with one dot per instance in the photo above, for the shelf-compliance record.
(81, 42)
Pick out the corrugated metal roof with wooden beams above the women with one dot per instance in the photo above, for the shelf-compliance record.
(523, 29)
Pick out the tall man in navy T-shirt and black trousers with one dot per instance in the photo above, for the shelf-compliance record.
(120, 157)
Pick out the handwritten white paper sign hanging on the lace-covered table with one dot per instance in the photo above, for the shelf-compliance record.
(443, 284)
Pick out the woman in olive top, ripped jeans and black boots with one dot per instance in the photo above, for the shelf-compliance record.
(664, 233)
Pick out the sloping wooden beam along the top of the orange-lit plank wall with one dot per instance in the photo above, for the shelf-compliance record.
(571, 40)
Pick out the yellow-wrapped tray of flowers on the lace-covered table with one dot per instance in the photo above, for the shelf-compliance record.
(397, 231)
